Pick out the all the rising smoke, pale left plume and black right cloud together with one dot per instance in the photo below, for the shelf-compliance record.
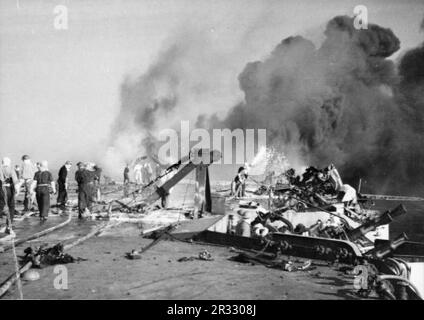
(343, 102)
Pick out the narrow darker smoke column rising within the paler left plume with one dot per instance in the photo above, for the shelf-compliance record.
(143, 101)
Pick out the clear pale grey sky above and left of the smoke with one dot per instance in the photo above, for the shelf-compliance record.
(59, 89)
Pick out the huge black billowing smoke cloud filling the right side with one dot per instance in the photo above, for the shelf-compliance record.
(343, 103)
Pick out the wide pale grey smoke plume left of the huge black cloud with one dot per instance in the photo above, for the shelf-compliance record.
(186, 78)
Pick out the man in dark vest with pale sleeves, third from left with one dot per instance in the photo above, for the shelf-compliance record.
(41, 185)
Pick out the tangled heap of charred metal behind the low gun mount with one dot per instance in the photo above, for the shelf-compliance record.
(319, 190)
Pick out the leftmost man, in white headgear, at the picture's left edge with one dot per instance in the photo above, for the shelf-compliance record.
(9, 187)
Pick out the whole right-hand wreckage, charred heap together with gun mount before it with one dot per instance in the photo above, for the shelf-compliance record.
(316, 216)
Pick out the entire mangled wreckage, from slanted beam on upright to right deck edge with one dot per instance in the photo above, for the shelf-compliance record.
(314, 216)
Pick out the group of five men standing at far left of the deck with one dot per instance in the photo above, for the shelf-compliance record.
(38, 184)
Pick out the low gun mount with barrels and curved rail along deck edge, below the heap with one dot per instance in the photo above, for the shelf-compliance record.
(383, 274)
